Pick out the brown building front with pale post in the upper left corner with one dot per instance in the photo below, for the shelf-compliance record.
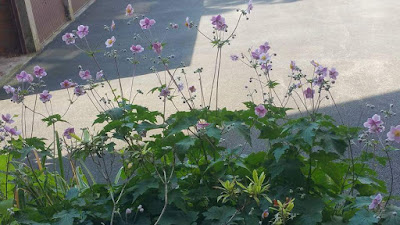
(26, 25)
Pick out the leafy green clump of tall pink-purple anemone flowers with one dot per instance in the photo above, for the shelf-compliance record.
(180, 168)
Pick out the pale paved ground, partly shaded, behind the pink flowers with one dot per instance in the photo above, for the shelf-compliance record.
(359, 38)
